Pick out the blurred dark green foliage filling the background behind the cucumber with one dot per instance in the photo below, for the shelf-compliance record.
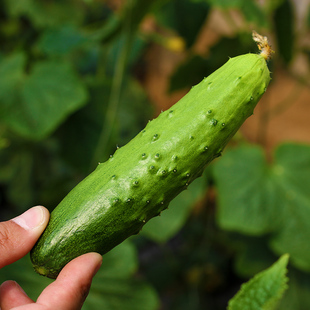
(70, 93)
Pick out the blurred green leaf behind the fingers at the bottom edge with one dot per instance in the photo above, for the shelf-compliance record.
(114, 286)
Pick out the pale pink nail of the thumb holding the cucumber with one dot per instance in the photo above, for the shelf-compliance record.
(30, 219)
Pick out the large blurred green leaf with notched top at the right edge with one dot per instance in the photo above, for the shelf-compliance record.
(257, 198)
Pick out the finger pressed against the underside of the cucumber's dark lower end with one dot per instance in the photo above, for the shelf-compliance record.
(71, 287)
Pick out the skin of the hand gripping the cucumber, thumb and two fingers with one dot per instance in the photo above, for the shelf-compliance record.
(67, 292)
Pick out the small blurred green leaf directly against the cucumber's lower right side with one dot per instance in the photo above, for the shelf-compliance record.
(164, 227)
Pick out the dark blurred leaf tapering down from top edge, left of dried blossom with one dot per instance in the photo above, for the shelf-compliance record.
(184, 16)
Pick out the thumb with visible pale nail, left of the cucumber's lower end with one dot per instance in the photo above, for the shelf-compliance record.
(19, 235)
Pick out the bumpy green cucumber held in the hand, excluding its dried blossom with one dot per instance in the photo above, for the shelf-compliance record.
(141, 178)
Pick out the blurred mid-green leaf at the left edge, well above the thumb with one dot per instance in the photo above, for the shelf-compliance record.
(45, 98)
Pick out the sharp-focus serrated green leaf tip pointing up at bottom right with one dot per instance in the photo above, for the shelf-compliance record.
(264, 291)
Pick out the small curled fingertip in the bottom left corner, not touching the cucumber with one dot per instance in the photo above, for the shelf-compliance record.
(12, 295)
